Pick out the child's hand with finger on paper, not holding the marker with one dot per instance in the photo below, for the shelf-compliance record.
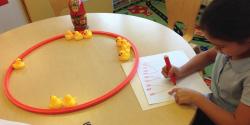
(185, 96)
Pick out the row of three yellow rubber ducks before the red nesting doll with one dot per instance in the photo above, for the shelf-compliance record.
(78, 35)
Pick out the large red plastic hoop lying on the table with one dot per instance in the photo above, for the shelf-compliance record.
(85, 105)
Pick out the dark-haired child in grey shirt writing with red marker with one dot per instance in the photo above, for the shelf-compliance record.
(226, 23)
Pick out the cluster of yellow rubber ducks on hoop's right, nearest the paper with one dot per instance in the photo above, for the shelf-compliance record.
(124, 48)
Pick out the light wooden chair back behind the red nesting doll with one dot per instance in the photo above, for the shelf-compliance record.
(42, 9)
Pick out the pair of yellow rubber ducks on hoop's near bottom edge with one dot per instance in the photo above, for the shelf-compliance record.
(57, 103)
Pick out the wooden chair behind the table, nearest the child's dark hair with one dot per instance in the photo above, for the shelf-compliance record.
(184, 11)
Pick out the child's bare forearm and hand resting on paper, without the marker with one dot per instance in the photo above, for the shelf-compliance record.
(218, 115)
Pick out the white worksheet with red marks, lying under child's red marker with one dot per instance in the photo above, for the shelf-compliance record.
(155, 86)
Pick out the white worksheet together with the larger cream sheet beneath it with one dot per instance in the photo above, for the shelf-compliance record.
(154, 85)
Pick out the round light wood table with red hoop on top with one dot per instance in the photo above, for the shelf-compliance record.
(86, 69)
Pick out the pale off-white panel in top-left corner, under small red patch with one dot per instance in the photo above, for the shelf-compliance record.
(12, 15)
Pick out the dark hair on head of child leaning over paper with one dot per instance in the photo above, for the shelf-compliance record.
(227, 20)
